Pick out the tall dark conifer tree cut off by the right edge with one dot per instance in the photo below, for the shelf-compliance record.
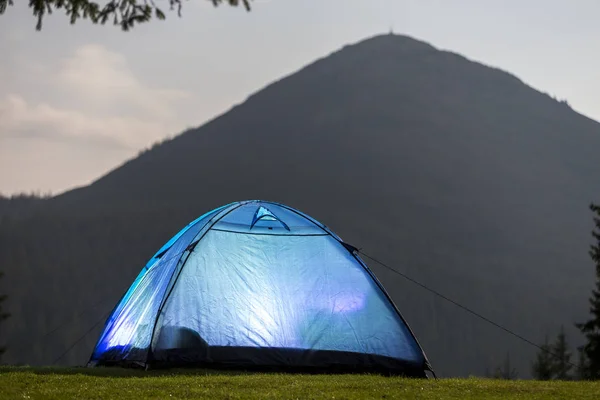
(591, 328)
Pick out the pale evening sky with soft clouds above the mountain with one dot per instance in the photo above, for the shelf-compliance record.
(79, 100)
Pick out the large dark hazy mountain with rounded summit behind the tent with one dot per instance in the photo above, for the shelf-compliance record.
(457, 174)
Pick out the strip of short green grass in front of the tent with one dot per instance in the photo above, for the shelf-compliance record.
(105, 383)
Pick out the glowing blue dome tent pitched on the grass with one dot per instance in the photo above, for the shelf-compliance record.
(256, 284)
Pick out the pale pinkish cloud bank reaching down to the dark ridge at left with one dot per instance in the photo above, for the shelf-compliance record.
(90, 103)
